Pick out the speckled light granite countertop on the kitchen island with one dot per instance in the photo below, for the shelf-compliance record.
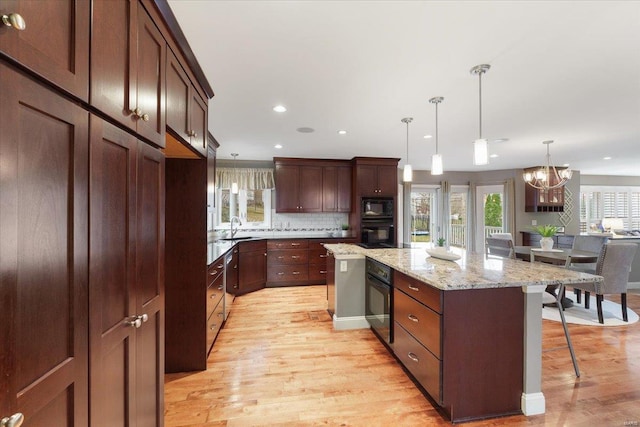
(472, 271)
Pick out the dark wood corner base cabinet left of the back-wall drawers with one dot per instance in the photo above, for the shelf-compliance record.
(252, 266)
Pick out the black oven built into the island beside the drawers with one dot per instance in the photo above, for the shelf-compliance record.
(379, 299)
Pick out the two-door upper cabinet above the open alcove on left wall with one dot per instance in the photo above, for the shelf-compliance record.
(186, 110)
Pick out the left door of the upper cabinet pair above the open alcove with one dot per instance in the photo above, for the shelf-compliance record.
(177, 100)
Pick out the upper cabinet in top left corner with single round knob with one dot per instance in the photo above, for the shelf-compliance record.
(54, 42)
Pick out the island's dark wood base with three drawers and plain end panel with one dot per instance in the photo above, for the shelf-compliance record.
(464, 347)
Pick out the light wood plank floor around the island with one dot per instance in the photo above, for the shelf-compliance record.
(279, 362)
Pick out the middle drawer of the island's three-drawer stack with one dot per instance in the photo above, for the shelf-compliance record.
(419, 320)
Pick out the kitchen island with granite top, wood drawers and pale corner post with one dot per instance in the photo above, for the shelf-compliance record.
(483, 345)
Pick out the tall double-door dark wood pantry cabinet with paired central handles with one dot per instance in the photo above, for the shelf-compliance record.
(126, 298)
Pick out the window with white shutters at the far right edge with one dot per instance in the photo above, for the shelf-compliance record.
(599, 203)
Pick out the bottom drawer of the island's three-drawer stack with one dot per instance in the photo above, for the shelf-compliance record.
(424, 366)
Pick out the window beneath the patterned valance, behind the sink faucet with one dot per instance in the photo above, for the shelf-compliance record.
(253, 207)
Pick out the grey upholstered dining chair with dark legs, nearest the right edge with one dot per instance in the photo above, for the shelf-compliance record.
(614, 265)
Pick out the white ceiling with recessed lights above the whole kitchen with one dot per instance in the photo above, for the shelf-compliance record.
(567, 71)
